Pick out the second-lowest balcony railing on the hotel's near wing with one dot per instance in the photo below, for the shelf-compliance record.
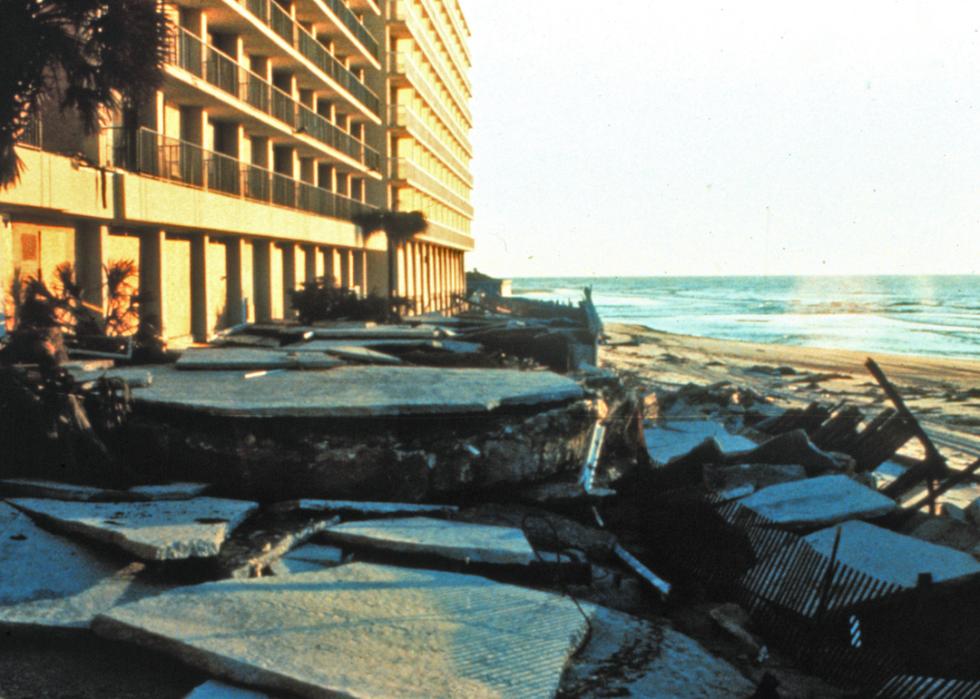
(219, 69)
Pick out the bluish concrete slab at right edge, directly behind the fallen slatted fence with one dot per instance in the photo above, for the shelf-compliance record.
(894, 558)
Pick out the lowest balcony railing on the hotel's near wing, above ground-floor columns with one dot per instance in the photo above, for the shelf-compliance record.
(149, 153)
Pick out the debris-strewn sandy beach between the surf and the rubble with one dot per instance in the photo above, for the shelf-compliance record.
(943, 393)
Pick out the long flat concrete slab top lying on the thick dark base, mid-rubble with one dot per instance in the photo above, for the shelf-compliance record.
(356, 391)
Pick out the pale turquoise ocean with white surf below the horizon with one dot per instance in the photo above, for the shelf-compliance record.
(928, 315)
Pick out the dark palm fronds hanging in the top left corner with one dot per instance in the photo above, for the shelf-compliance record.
(86, 54)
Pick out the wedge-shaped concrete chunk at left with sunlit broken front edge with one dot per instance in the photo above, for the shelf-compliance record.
(152, 531)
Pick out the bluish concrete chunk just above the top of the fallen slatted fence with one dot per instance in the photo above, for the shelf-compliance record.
(818, 502)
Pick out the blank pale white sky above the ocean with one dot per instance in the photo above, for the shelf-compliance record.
(649, 137)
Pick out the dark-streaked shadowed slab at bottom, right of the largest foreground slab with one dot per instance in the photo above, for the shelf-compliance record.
(628, 656)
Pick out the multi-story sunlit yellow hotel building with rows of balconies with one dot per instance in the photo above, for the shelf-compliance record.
(276, 123)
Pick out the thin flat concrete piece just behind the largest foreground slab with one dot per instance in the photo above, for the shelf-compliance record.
(461, 541)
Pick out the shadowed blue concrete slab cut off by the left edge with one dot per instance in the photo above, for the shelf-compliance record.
(47, 581)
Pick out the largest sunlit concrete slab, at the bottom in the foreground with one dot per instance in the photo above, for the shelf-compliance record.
(364, 630)
